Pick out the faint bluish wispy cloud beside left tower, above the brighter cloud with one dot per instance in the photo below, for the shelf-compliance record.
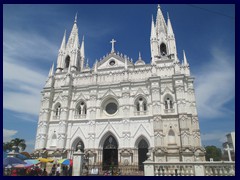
(26, 46)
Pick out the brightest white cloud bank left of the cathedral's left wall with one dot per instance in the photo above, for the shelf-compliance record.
(27, 84)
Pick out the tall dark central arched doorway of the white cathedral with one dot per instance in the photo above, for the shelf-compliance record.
(110, 153)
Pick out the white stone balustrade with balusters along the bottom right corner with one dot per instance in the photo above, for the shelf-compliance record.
(220, 168)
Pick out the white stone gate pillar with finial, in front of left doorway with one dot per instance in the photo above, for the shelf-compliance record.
(77, 162)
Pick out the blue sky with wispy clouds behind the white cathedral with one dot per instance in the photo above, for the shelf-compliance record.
(32, 35)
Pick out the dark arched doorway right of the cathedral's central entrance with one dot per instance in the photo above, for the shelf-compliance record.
(142, 153)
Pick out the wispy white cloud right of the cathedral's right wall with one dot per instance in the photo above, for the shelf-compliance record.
(215, 85)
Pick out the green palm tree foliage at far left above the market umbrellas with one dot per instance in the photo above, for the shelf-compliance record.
(19, 143)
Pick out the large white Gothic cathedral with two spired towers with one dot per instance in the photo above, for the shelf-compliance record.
(119, 110)
